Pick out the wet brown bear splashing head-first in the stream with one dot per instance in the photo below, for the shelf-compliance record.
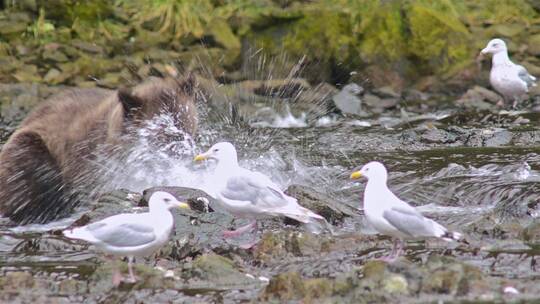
(43, 163)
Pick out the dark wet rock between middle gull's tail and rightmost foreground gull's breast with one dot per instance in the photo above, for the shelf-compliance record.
(332, 210)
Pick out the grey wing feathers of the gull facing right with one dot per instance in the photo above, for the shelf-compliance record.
(123, 235)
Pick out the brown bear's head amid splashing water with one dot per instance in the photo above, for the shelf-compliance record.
(173, 97)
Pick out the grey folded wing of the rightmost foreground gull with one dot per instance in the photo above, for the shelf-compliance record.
(410, 222)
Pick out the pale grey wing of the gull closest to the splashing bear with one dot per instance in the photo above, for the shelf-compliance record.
(243, 188)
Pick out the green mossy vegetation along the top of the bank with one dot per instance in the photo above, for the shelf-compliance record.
(413, 37)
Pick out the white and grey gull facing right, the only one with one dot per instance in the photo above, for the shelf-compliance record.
(132, 235)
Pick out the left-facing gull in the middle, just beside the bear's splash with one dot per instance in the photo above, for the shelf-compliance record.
(249, 194)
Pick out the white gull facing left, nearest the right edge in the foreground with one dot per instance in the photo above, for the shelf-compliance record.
(391, 216)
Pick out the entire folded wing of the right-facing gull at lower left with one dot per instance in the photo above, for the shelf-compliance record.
(118, 232)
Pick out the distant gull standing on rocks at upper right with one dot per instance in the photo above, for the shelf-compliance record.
(509, 79)
